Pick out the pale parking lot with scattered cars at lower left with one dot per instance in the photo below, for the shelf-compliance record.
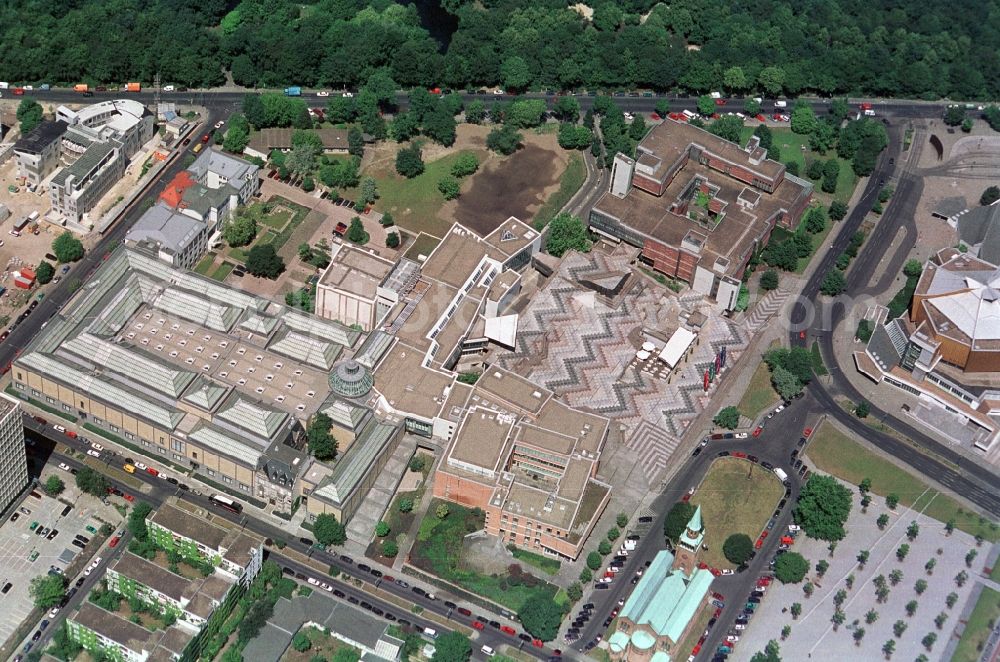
(19, 543)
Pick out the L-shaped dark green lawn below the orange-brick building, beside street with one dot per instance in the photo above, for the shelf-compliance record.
(439, 550)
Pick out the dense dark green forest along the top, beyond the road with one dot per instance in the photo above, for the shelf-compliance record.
(921, 48)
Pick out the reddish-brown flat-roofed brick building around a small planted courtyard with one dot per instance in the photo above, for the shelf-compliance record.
(698, 206)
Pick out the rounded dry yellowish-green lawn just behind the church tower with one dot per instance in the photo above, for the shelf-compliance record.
(736, 496)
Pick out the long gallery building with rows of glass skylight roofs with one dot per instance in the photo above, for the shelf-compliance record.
(188, 369)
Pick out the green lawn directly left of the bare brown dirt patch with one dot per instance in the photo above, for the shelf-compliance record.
(414, 203)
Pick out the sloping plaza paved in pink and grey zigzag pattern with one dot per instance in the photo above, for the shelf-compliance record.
(574, 344)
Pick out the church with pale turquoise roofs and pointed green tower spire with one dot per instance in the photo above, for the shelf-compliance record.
(665, 603)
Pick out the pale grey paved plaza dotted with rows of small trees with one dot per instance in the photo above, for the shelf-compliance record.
(813, 635)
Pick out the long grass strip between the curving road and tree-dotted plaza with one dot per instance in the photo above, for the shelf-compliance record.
(836, 453)
